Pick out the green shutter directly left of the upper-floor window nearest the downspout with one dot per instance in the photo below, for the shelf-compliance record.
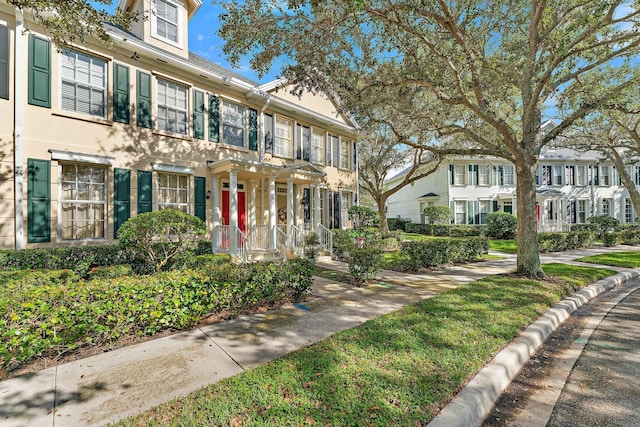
(39, 72)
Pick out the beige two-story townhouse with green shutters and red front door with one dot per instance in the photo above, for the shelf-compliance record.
(91, 135)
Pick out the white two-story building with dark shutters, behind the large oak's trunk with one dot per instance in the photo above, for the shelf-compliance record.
(571, 187)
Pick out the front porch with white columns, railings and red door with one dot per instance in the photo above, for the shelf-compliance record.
(263, 211)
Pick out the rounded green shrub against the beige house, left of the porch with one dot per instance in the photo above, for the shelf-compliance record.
(160, 239)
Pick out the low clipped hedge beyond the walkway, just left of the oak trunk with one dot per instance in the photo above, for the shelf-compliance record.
(436, 252)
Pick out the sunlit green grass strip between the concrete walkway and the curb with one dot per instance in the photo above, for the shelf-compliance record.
(395, 370)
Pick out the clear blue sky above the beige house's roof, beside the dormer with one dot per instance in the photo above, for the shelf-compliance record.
(204, 40)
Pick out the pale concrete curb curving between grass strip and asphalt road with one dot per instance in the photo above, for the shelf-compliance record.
(474, 402)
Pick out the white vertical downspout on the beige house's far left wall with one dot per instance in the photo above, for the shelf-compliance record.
(18, 119)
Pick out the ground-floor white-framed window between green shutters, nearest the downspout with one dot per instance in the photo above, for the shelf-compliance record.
(83, 201)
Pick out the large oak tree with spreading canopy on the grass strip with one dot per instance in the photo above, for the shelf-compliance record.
(483, 74)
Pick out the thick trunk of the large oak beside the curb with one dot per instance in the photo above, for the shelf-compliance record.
(527, 230)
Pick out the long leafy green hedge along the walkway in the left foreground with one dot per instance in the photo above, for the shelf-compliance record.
(49, 313)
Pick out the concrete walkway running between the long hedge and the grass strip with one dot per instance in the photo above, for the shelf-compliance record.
(113, 385)
